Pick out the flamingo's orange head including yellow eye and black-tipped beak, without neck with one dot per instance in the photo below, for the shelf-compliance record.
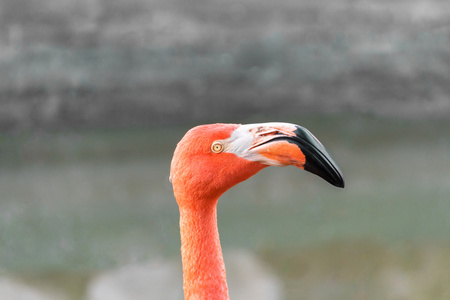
(210, 159)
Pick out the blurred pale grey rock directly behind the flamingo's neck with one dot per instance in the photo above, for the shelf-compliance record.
(248, 278)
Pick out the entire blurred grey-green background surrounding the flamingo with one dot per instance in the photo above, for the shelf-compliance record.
(95, 94)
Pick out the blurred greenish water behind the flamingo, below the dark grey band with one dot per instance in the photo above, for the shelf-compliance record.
(80, 202)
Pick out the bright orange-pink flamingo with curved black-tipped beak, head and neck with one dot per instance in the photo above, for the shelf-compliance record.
(212, 158)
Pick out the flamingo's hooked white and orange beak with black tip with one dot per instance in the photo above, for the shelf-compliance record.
(283, 144)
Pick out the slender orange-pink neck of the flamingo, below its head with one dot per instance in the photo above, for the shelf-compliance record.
(203, 266)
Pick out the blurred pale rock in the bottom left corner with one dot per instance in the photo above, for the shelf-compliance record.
(11, 289)
